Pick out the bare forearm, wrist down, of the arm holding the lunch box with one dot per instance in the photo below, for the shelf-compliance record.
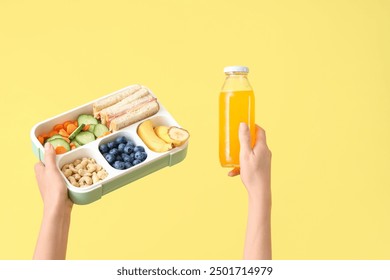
(53, 235)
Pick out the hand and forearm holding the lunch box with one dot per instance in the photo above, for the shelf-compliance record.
(57, 207)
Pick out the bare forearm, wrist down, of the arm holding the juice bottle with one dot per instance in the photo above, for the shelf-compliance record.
(258, 234)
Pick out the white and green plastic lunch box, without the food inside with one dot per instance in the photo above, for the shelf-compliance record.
(116, 178)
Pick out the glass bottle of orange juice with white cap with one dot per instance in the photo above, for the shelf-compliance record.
(236, 105)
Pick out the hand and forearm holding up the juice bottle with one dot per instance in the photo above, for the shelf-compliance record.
(255, 171)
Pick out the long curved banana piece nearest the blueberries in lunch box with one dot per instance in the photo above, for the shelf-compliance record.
(147, 134)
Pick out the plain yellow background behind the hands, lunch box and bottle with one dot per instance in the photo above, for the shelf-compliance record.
(320, 70)
